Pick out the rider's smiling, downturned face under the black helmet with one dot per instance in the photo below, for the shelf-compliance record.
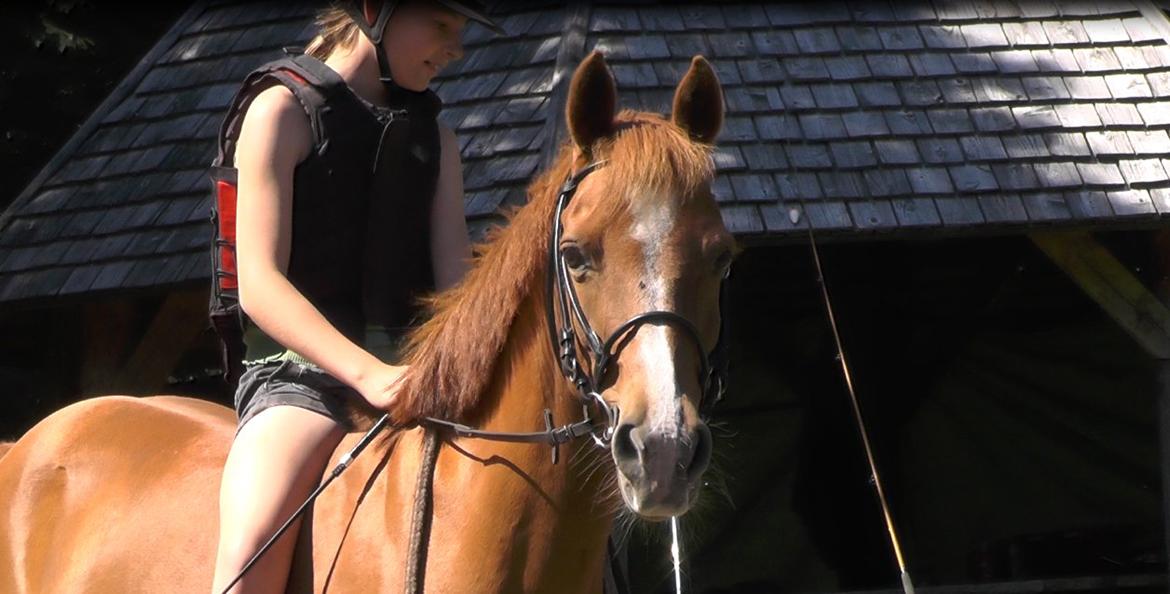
(422, 39)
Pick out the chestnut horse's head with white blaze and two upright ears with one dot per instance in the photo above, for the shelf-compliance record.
(644, 233)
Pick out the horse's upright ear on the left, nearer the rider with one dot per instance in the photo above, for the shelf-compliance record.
(593, 102)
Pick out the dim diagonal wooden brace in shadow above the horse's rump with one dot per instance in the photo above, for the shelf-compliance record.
(177, 324)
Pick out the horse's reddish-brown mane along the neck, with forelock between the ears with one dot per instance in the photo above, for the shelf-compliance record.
(453, 356)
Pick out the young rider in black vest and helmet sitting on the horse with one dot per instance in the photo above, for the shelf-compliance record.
(333, 253)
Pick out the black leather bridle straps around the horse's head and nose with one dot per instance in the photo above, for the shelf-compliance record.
(561, 298)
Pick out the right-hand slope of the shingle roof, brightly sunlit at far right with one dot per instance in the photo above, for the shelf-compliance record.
(909, 116)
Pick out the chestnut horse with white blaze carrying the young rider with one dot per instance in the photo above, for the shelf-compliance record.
(120, 494)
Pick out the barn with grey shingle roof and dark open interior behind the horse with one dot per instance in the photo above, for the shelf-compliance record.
(988, 185)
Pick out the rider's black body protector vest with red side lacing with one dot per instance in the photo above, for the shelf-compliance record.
(361, 245)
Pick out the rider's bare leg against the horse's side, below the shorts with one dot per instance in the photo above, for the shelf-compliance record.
(277, 460)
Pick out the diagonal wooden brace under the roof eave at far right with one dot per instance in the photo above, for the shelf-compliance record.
(1112, 287)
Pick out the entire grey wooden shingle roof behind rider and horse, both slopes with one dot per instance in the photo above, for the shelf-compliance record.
(870, 118)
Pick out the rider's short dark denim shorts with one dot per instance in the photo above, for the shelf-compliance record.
(266, 385)
